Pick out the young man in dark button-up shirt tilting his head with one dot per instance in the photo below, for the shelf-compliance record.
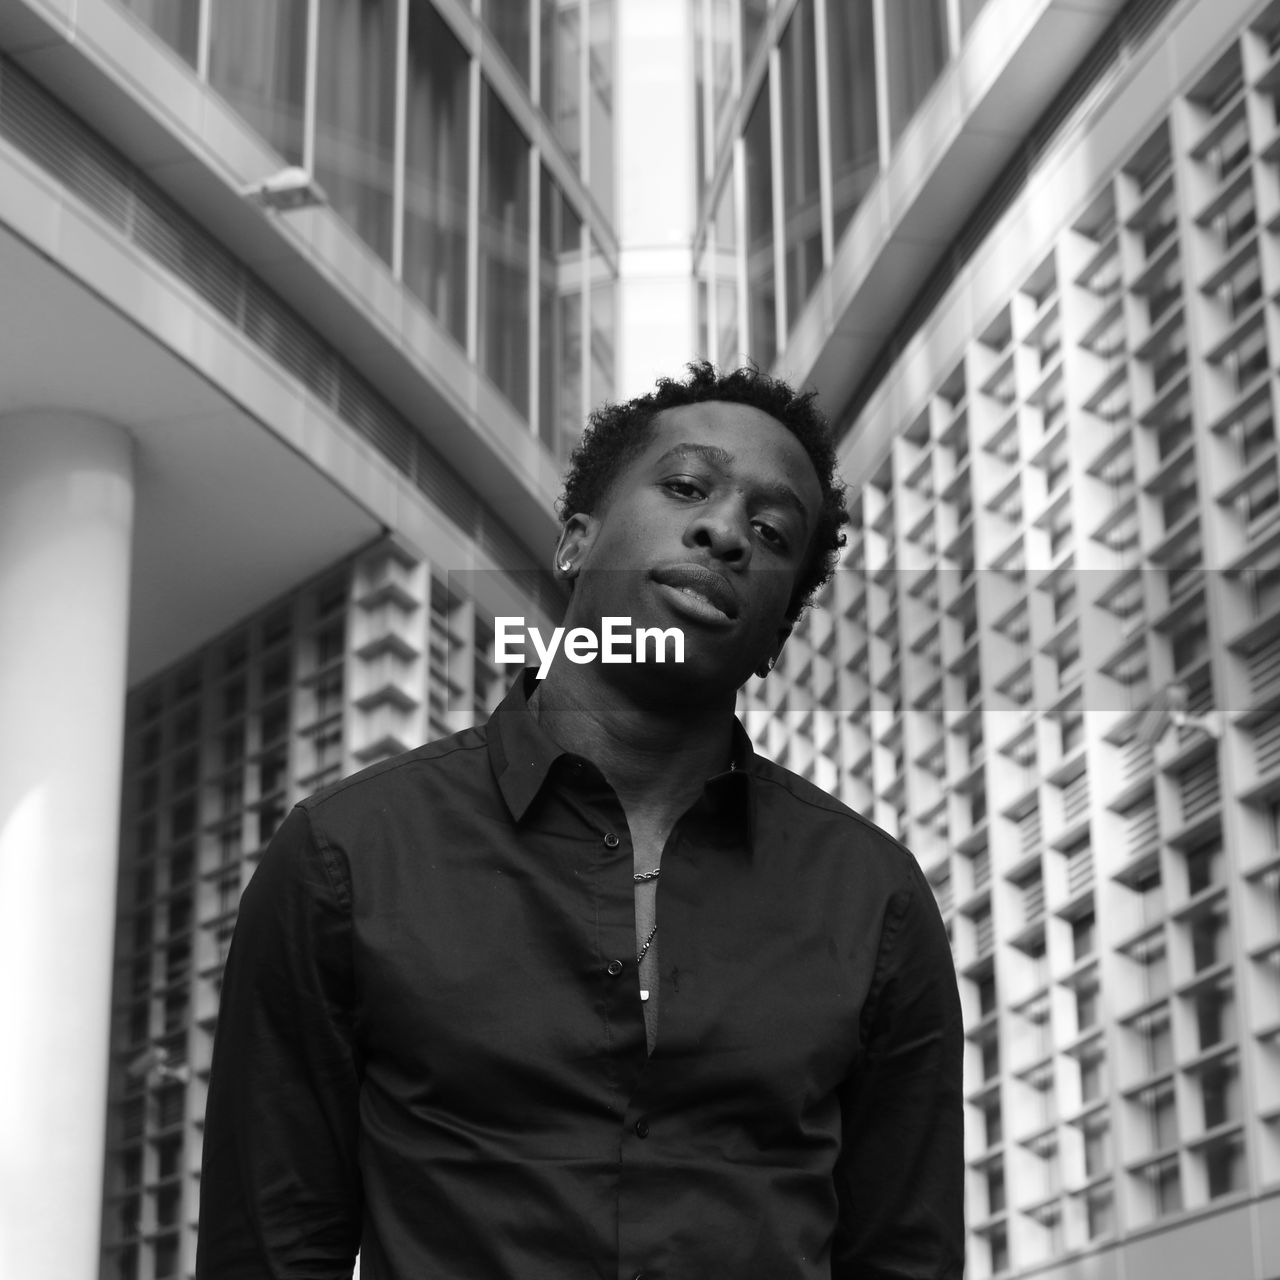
(595, 991)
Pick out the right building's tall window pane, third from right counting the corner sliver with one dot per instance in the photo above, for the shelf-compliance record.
(854, 130)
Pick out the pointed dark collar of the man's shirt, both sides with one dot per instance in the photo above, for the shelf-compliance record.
(523, 757)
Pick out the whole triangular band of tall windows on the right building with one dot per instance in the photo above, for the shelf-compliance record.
(821, 89)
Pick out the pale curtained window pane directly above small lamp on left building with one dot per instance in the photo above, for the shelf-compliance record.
(258, 53)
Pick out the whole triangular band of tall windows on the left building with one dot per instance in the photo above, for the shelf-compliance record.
(447, 203)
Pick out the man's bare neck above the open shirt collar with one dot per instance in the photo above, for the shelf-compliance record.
(656, 757)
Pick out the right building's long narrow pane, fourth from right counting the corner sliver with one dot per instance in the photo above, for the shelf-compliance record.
(803, 211)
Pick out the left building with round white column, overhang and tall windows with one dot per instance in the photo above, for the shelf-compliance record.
(267, 476)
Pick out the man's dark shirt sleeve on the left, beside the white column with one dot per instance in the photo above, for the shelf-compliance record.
(281, 1192)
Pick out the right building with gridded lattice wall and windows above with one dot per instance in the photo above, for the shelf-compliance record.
(1027, 253)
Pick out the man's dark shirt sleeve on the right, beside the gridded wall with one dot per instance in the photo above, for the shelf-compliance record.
(900, 1173)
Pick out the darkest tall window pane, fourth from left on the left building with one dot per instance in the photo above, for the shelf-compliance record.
(436, 170)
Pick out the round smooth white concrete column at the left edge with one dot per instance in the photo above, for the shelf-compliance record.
(66, 525)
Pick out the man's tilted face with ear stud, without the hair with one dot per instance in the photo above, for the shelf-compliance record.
(706, 531)
